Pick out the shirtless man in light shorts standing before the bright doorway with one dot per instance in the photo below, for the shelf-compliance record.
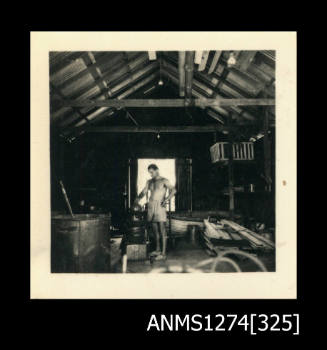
(158, 186)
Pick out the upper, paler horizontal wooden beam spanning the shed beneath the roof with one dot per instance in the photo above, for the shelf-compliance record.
(198, 102)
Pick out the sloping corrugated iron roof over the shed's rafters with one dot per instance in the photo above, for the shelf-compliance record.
(105, 75)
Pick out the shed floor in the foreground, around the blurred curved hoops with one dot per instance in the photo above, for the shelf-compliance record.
(184, 257)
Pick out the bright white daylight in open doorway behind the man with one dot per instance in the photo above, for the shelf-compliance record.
(166, 169)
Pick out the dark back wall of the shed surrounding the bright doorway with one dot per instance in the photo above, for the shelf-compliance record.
(95, 167)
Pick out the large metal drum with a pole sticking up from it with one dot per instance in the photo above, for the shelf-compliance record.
(79, 244)
